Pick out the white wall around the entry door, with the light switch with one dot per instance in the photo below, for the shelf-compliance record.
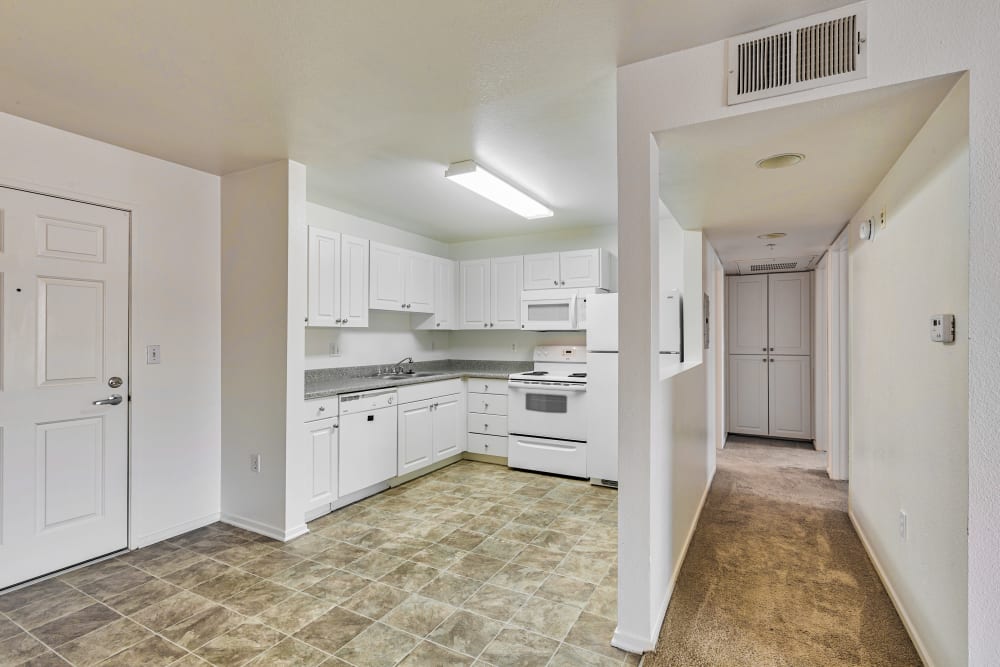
(174, 413)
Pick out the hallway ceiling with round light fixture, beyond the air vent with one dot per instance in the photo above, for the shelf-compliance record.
(708, 177)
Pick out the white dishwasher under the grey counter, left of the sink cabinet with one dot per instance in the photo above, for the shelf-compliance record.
(367, 439)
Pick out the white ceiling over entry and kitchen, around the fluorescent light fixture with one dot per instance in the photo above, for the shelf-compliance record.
(375, 97)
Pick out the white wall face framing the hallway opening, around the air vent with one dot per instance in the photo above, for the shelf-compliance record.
(909, 39)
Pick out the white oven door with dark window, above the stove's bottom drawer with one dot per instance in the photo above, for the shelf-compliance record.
(547, 411)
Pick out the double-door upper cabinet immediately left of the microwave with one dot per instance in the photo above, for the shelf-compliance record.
(490, 293)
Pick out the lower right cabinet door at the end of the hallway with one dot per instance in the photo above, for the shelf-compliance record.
(790, 397)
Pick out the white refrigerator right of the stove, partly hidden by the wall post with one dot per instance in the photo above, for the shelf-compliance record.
(602, 377)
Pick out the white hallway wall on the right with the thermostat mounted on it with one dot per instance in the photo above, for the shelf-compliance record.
(910, 404)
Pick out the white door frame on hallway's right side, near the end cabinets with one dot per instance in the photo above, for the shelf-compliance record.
(838, 454)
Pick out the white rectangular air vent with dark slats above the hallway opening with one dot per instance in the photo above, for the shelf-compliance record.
(818, 50)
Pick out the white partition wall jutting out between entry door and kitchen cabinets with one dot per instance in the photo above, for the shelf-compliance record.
(263, 250)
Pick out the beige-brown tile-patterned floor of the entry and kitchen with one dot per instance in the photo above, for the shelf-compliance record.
(472, 564)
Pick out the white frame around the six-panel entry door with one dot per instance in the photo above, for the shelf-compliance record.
(131, 209)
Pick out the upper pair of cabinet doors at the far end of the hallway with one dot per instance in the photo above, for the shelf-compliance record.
(770, 313)
